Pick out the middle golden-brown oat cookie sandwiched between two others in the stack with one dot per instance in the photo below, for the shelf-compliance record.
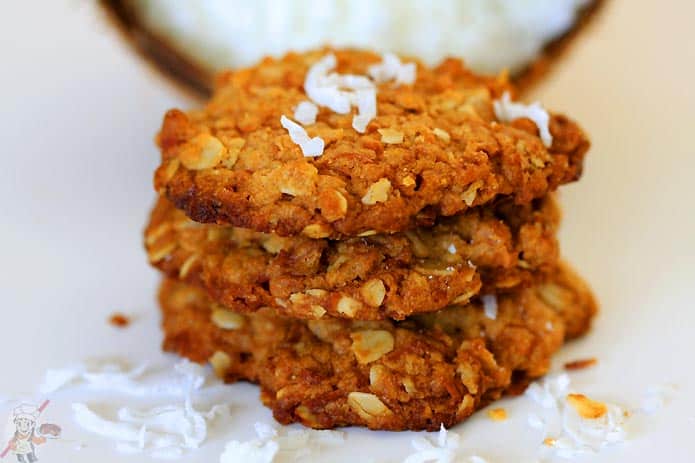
(499, 246)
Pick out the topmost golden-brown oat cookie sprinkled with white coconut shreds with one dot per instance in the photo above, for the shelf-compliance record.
(435, 147)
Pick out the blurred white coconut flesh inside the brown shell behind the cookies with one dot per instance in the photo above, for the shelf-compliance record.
(490, 35)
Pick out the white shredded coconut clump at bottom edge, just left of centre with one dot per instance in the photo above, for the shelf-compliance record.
(270, 443)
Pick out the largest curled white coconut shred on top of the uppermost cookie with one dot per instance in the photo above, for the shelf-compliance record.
(340, 92)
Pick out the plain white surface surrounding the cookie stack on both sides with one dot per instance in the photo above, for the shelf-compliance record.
(78, 114)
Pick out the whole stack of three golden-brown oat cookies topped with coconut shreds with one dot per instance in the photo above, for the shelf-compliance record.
(370, 240)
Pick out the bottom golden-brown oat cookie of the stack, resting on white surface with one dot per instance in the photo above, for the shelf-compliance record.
(417, 374)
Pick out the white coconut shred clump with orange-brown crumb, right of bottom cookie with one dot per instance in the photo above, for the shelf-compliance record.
(578, 432)
